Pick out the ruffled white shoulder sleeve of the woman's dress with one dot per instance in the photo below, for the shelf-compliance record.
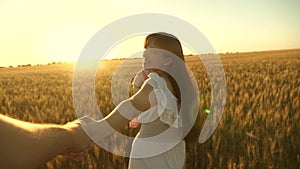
(166, 107)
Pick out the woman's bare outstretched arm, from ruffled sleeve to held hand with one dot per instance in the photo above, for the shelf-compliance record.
(119, 118)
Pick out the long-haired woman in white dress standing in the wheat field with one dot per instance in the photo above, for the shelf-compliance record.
(165, 104)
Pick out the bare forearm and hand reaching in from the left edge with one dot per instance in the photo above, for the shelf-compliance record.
(27, 145)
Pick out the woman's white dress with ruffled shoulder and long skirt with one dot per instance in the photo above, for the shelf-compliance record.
(161, 116)
